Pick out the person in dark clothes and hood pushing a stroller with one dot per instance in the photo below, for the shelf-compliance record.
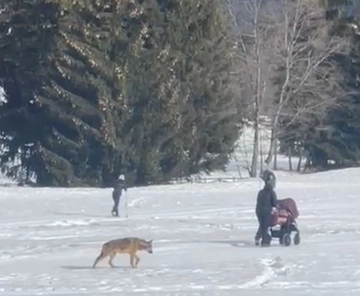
(266, 201)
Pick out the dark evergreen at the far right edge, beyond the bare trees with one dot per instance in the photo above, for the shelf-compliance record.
(340, 142)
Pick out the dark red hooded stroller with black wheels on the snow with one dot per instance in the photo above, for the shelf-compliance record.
(284, 222)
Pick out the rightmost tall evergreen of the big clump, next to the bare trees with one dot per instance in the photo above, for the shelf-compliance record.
(211, 104)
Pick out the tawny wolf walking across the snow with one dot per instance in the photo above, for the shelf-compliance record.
(127, 245)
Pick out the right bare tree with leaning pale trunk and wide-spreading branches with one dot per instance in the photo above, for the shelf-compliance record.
(302, 53)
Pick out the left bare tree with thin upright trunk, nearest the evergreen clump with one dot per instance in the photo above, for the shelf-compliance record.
(252, 32)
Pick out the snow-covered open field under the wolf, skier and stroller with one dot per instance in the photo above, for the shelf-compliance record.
(203, 240)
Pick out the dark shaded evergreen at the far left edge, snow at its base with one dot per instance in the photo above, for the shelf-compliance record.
(26, 36)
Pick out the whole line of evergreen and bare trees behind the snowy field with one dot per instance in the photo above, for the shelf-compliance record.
(161, 89)
